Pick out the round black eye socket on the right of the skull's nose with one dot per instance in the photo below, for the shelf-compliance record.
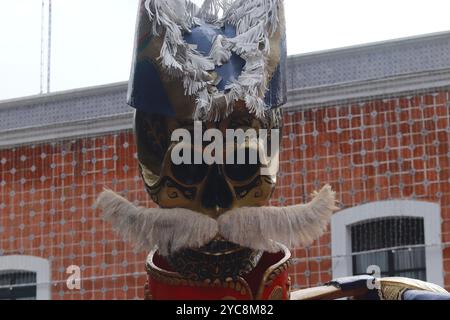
(243, 171)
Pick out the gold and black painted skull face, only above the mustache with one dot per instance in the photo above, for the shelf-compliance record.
(211, 190)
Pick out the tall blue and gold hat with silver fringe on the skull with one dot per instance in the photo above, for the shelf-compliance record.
(197, 61)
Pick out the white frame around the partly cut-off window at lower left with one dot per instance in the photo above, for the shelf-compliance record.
(33, 264)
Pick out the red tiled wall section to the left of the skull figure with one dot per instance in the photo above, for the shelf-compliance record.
(52, 217)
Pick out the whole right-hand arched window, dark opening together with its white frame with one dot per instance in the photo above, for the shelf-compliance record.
(402, 237)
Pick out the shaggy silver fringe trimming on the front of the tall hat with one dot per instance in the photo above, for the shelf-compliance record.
(255, 21)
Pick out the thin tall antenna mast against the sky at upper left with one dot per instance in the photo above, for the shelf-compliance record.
(46, 45)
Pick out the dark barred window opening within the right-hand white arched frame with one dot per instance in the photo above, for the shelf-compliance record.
(394, 244)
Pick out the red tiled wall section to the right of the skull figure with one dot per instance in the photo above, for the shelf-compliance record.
(380, 150)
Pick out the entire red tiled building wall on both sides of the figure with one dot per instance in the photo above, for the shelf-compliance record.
(393, 149)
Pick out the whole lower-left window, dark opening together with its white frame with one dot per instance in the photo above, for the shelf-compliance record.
(24, 277)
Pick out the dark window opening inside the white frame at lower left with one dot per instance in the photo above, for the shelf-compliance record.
(18, 285)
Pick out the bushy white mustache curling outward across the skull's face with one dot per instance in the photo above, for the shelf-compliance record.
(257, 228)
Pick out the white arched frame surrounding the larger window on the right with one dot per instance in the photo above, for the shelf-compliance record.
(342, 221)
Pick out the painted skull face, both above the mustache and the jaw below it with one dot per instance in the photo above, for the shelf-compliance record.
(207, 189)
